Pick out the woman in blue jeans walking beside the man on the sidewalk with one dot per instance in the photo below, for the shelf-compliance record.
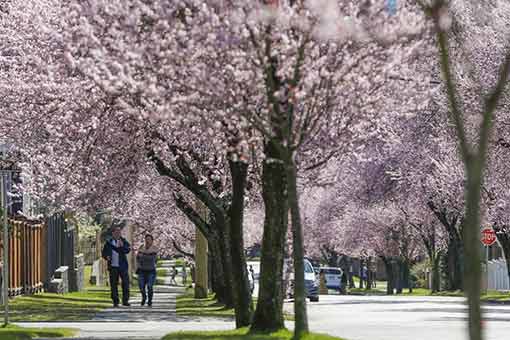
(146, 260)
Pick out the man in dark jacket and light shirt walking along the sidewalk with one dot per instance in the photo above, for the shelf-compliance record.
(115, 251)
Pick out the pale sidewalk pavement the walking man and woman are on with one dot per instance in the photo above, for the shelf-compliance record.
(139, 323)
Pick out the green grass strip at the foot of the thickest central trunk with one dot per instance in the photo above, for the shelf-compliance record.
(242, 334)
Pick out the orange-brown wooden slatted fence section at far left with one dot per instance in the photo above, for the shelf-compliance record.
(25, 257)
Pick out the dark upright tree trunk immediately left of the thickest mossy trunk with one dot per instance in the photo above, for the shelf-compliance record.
(241, 285)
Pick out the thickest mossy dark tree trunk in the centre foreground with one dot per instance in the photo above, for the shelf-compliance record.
(269, 311)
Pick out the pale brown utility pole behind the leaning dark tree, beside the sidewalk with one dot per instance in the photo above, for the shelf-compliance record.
(201, 259)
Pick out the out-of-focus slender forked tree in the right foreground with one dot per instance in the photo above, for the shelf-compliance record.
(473, 147)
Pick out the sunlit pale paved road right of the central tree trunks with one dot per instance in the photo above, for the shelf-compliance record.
(401, 318)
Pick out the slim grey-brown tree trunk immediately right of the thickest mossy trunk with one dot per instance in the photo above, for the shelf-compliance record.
(301, 319)
